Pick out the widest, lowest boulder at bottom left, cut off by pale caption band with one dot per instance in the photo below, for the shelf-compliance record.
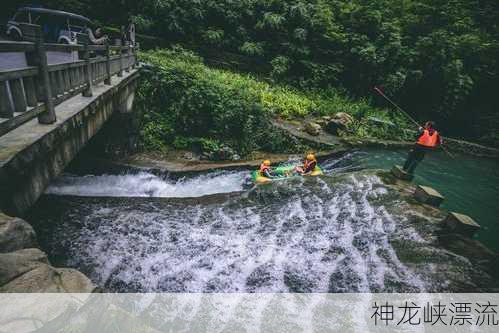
(47, 279)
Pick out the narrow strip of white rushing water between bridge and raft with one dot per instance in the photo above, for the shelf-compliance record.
(146, 184)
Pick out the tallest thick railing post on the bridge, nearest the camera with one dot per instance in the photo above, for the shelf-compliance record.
(40, 59)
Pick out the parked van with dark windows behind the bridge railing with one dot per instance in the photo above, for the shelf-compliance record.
(57, 26)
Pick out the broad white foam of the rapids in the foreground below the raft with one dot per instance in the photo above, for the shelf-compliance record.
(316, 237)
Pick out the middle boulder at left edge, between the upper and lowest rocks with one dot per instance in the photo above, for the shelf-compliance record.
(15, 264)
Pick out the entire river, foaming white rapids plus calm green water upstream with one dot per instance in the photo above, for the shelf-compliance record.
(342, 232)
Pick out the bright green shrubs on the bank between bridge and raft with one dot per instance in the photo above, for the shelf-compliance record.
(189, 105)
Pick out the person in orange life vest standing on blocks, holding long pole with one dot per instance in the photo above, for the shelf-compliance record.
(428, 139)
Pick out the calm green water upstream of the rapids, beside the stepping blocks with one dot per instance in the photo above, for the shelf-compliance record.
(470, 184)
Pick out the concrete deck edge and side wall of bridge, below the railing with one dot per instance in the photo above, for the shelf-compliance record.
(33, 154)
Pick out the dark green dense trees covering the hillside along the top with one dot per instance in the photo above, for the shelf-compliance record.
(439, 58)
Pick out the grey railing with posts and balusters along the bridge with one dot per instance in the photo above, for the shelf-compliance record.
(35, 90)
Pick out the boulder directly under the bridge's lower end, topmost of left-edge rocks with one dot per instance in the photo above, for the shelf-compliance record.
(15, 234)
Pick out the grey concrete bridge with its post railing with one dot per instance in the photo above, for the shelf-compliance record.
(49, 111)
